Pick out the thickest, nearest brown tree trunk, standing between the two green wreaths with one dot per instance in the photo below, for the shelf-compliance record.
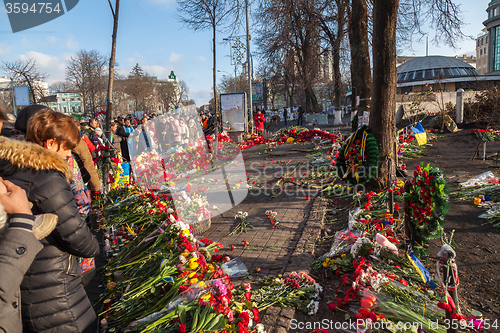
(383, 105)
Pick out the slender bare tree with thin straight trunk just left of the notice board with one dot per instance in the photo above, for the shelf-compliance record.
(217, 15)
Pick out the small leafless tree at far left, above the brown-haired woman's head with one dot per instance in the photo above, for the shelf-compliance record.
(26, 72)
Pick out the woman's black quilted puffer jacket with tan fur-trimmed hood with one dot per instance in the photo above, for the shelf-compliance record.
(53, 298)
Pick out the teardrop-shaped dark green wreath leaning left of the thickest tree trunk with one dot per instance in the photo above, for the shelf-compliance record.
(358, 159)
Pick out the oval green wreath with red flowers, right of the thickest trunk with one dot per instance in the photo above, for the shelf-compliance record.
(428, 204)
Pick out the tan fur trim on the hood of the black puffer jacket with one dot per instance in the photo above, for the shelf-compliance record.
(27, 155)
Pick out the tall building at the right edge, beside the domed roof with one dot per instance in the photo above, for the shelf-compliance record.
(492, 25)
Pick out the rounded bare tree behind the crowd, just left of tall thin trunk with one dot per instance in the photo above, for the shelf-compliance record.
(86, 72)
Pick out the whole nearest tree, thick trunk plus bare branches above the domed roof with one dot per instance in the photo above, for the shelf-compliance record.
(382, 116)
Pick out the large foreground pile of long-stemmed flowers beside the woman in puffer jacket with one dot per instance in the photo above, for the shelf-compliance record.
(161, 277)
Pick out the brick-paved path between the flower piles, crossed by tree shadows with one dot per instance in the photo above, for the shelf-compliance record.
(274, 251)
